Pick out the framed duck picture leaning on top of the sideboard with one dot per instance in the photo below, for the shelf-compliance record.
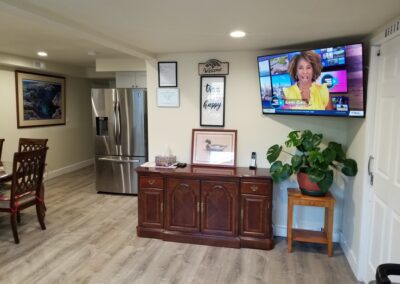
(212, 147)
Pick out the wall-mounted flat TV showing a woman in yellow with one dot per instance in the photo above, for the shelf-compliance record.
(326, 81)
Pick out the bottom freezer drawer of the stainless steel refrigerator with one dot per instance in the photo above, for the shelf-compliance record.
(117, 174)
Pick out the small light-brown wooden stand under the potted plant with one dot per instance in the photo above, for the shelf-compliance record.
(295, 197)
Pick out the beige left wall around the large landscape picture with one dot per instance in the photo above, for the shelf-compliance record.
(70, 145)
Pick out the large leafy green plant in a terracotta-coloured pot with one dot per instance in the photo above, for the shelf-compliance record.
(313, 166)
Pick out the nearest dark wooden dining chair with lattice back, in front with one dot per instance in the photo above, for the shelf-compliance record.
(25, 188)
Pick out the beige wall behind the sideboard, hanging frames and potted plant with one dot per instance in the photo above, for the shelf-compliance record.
(172, 127)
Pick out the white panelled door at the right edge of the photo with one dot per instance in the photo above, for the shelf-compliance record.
(384, 234)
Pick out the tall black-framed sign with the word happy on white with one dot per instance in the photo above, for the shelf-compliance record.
(212, 101)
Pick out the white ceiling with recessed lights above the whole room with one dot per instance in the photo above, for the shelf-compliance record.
(68, 29)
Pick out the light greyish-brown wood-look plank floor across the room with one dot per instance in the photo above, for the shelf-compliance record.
(91, 238)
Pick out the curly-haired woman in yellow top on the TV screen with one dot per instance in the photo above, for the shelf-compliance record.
(305, 68)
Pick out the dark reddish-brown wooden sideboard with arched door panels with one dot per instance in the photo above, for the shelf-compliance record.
(229, 207)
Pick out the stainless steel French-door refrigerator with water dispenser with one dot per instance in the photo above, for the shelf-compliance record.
(120, 126)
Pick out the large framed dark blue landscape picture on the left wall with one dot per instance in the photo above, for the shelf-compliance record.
(40, 99)
